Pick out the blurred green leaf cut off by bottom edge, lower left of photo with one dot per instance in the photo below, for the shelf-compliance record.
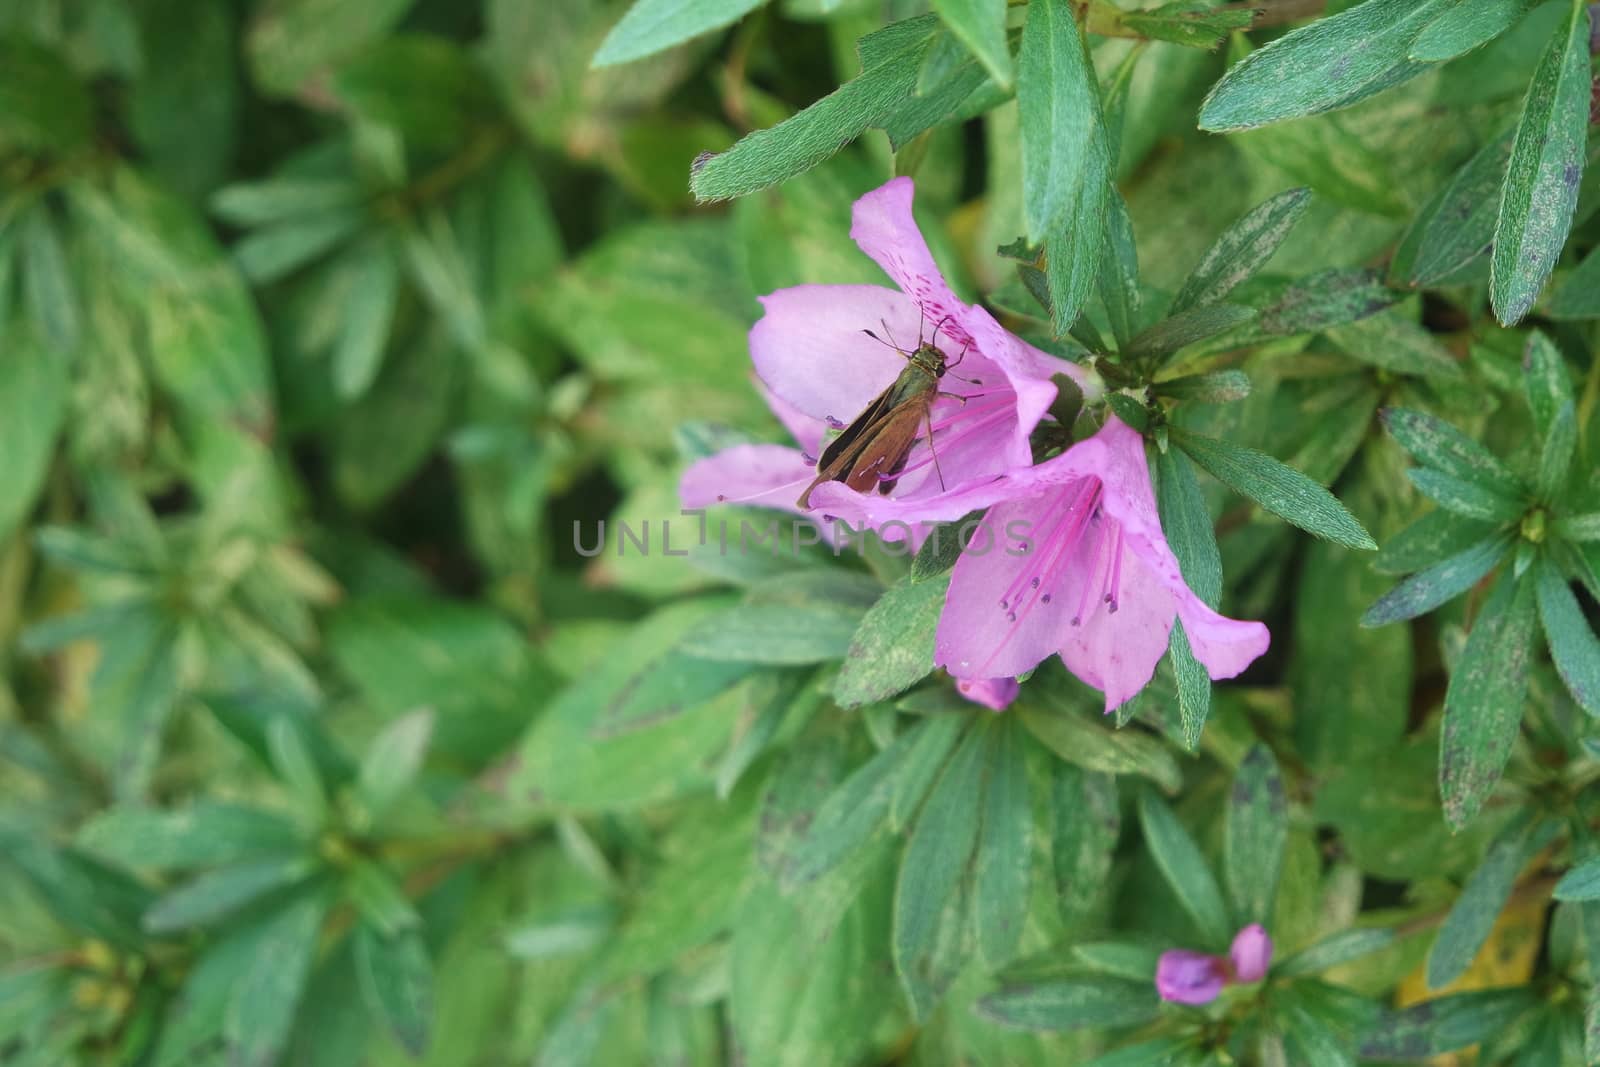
(262, 1005)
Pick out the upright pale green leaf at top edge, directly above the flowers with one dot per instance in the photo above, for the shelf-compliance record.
(1058, 98)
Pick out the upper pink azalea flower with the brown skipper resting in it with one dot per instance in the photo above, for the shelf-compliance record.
(822, 370)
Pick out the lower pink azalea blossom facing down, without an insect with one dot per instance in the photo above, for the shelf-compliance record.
(1082, 572)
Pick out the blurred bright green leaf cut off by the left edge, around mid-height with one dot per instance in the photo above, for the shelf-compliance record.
(33, 409)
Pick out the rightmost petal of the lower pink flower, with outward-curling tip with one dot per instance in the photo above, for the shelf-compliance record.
(1225, 645)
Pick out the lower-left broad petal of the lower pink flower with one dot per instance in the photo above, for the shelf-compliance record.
(977, 636)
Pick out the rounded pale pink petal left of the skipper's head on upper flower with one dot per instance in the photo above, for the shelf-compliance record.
(810, 351)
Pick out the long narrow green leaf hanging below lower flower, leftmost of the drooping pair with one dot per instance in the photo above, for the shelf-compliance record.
(934, 885)
